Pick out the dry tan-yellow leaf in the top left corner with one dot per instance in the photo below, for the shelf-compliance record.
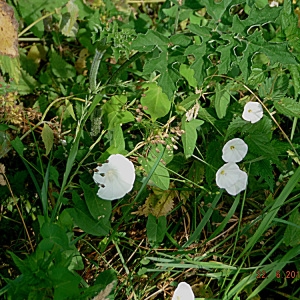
(8, 31)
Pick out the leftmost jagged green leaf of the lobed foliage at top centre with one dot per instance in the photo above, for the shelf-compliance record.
(147, 42)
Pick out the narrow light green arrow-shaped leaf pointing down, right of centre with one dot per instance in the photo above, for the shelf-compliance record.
(189, 137)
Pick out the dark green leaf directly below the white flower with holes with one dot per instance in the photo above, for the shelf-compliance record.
(98, 208)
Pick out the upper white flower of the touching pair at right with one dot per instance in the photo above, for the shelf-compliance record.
(234, 150)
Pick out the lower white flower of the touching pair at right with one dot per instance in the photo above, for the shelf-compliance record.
(231, 178)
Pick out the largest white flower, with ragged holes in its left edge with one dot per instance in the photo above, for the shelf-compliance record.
(115, 177)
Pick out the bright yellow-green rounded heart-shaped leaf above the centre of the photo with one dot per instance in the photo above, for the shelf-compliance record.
(157, 102)
